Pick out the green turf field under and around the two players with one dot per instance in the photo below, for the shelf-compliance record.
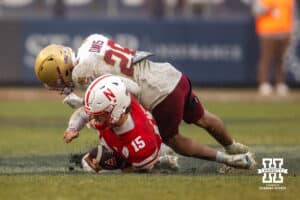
(34, 159)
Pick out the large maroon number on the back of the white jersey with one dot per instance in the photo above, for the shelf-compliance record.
(117, 52)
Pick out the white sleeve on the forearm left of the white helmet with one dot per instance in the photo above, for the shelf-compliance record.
(78, 120)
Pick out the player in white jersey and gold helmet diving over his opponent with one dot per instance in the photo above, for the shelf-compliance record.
(159, 87)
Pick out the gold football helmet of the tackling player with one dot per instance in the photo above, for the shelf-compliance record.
(53, 66)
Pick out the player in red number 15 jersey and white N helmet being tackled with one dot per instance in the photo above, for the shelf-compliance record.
(124, 127)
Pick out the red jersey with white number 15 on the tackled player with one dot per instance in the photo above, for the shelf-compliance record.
(137, 140)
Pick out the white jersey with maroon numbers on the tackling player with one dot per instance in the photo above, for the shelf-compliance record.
(99, 55)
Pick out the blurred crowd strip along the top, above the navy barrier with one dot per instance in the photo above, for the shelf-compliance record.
(122, 8)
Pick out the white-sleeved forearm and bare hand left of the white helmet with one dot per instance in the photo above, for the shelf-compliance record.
(77, 121)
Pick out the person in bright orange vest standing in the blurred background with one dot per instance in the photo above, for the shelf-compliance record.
(274, 24)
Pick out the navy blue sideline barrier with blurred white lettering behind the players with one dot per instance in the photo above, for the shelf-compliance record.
(214, 52)
